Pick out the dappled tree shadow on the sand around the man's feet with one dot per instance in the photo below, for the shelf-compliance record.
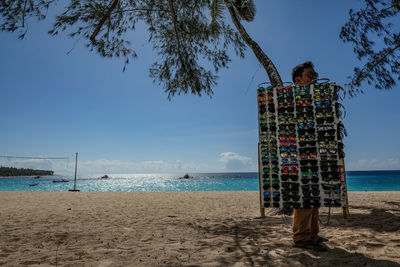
(267, 242)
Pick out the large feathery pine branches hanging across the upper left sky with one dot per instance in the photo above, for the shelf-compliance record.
(190, 67)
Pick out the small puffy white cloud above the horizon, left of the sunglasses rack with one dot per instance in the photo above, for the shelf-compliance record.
(235, 162)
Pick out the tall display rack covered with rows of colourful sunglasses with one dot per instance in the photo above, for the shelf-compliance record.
(301, 150)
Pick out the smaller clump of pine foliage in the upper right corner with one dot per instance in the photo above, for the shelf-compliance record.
(381, 66)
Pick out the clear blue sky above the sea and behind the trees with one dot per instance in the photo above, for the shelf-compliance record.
(54, 104)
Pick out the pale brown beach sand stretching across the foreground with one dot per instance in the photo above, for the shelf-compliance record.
(187, 229)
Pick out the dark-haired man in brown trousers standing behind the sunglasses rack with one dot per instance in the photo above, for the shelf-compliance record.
(305, 221)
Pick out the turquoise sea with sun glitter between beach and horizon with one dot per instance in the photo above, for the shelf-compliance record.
(246, 181)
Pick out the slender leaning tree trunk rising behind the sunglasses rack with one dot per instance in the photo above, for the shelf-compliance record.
(269, 67)
